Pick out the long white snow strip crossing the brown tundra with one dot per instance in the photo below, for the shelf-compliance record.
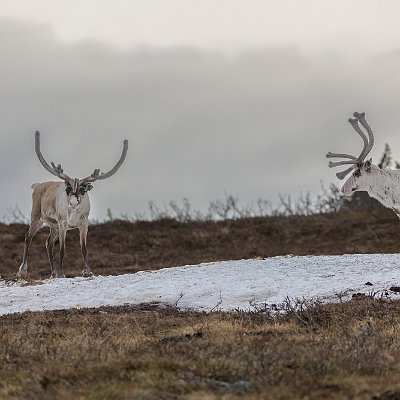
(222, 285)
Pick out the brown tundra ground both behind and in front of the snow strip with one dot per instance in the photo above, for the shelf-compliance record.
(337, 351)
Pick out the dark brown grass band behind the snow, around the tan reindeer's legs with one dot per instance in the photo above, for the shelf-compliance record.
(121, 247)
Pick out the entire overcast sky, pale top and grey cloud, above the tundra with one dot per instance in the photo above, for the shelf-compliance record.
(239, 97)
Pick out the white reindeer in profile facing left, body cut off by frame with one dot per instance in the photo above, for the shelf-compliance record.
(381, 184)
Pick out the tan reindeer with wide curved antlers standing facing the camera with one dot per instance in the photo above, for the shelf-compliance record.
(62, 206)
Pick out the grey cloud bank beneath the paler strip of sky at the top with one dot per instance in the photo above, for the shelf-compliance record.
(199, 122)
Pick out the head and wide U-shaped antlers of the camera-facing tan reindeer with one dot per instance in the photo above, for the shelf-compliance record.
(76, 188)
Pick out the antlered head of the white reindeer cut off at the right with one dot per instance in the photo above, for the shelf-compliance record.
(360, 179)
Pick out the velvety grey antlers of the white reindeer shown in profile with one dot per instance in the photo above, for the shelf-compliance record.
(368, 144)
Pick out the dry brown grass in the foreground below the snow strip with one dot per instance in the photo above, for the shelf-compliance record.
(349, 350)
